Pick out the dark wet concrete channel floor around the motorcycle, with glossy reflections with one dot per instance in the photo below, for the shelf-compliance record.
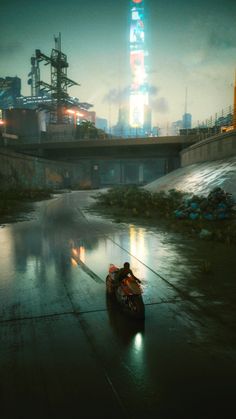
(67, 351)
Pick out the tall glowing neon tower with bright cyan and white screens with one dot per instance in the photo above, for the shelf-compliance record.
(138, 88)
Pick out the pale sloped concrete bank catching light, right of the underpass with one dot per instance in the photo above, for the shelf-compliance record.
(200, 178)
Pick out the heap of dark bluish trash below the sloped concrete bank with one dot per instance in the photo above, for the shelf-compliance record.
(218, 205)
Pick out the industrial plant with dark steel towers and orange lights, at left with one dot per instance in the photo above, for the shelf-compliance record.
(49, 113)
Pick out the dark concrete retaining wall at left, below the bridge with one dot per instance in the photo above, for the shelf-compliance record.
(18, 170)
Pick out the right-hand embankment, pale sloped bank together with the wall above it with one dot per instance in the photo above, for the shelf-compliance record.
(205, 165)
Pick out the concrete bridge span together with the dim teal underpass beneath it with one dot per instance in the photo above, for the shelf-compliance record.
(111, 162)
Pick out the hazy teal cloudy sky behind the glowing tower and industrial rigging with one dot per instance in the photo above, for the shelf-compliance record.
(190, 44)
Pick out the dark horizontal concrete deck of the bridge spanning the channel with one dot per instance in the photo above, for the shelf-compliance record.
(134, 148)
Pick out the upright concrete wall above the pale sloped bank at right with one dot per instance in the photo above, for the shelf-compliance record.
(214, 148)
